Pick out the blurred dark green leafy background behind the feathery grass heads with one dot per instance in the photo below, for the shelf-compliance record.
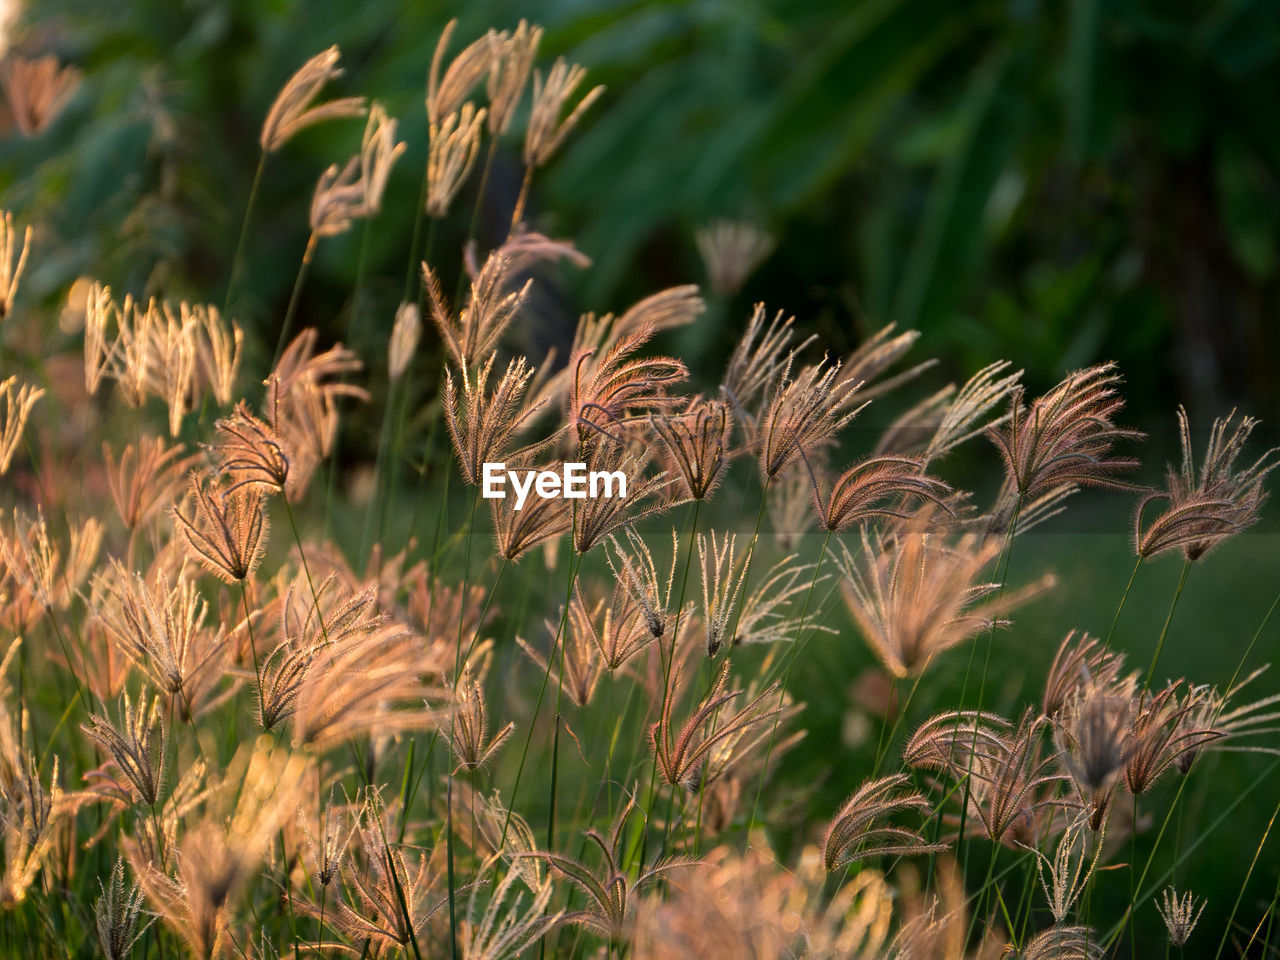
(1050, 182)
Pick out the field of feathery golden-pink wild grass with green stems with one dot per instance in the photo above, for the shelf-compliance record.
(865, 666)
